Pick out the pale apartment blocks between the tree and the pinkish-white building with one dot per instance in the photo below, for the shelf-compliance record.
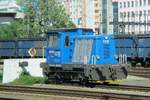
(93, 14)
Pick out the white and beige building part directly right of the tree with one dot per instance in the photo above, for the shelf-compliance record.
(81, 12)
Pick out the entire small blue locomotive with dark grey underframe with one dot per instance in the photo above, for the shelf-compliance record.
(79, 55)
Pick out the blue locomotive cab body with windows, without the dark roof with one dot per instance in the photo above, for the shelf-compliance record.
(58, 43)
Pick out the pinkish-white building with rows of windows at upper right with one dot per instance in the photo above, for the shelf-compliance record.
(133, 16)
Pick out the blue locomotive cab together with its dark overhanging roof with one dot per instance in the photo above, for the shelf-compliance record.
(60, 45)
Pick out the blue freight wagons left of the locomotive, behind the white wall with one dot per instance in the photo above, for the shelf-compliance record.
(20, 48)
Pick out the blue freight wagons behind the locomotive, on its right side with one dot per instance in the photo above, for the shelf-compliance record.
(135, 47)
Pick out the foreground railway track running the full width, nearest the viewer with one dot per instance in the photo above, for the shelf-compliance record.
(75, 93)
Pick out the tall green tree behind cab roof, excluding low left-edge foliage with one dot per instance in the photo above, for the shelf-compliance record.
(43, 15)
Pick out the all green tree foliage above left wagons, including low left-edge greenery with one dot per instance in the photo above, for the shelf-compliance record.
(40, 16)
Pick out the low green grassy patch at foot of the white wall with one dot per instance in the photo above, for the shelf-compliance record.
(28, 80)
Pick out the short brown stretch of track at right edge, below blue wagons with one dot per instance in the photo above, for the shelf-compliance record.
(143, 72)
